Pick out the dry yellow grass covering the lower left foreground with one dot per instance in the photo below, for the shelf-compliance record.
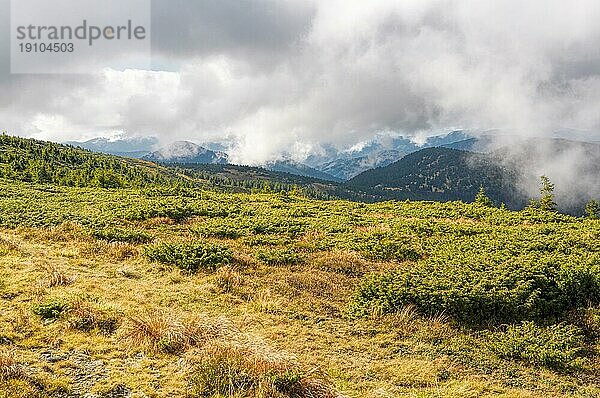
(239, 319)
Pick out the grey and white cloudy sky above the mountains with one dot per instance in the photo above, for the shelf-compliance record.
(275, 76)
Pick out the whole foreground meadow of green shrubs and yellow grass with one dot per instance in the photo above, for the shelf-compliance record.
(280, 295)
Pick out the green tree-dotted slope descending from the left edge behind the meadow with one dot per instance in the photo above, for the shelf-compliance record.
(31, 160)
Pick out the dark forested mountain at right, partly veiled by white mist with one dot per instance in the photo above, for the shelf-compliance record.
(509, 175)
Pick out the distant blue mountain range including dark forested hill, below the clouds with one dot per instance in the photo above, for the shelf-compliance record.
(449, 167)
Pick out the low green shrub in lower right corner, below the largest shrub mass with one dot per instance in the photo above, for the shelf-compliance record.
(558, 346)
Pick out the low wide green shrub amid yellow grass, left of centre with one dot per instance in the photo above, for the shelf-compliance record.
(190, 256)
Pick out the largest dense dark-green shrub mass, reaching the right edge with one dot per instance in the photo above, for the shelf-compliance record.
(526, 289)
